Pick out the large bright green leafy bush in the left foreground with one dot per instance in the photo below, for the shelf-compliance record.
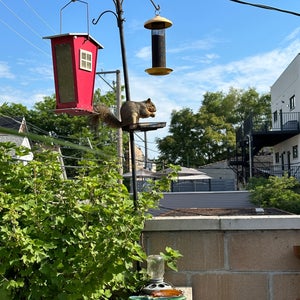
(68, 239)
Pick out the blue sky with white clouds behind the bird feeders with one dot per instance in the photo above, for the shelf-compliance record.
(213, 45)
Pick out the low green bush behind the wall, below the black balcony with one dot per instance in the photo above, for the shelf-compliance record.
(278, 192)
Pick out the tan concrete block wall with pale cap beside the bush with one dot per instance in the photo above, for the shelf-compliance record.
(231, 258)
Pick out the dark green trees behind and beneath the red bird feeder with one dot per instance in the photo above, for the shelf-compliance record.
(43, 120)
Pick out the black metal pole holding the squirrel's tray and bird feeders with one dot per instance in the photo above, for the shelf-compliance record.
(119, 11)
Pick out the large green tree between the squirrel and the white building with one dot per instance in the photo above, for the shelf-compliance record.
(209, 135)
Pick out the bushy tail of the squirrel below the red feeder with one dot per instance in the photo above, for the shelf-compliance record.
(103, 113)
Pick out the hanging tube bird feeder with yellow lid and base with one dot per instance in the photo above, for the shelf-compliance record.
(157, 25)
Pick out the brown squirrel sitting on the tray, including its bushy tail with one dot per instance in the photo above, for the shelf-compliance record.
(131, 112)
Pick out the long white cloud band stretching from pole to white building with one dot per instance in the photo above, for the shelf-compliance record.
(185, 89)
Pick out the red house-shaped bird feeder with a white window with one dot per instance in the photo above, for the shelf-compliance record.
(74, 62)
